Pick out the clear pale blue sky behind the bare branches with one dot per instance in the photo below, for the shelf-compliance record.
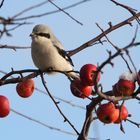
(39, 106)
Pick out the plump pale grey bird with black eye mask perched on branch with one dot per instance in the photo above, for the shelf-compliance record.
(48, 53)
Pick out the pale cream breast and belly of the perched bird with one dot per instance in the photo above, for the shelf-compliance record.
(45, 55)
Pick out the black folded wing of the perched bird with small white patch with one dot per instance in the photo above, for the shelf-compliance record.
(64, 54)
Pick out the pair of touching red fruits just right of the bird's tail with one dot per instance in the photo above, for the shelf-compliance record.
(82, 87)
